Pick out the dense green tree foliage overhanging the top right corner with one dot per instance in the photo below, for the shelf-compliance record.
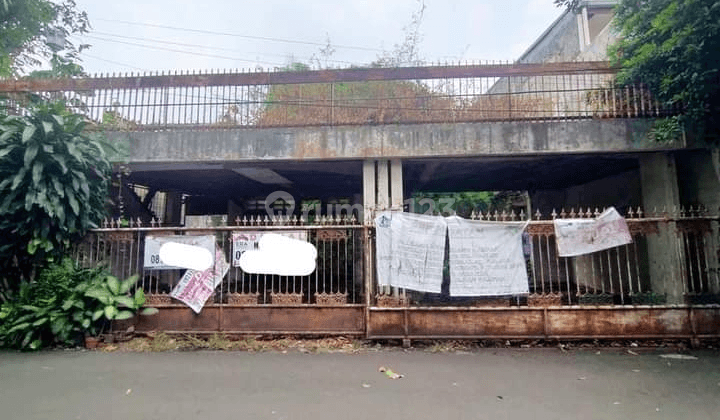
(673, 47)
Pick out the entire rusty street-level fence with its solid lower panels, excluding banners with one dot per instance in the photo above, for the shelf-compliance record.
(662, 284)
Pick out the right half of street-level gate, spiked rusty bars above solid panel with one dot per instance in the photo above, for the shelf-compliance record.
(625, 275)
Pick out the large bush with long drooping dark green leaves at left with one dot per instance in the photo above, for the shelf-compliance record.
(53, 188)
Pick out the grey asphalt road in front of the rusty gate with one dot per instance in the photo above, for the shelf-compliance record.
(487, 384)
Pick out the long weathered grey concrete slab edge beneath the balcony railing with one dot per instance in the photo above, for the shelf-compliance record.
(386, 141)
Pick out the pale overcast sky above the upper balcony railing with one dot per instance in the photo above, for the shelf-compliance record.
(251, 33)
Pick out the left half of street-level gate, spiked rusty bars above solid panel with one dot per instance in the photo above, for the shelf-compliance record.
(337, 279)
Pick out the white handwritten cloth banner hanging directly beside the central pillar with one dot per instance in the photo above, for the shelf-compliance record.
(410, 250)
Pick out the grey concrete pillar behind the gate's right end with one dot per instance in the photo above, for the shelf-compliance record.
(659, 182)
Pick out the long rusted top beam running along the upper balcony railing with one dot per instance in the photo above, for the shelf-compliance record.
(300, 77)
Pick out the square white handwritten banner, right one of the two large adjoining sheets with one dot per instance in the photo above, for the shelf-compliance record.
(486, 258)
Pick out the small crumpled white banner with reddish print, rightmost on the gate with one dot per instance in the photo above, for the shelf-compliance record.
(584, 236)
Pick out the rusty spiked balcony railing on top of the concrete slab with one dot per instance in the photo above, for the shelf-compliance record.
(436, 94)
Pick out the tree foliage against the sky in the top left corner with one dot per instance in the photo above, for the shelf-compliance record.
(36, 30)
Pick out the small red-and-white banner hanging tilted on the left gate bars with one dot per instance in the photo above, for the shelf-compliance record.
(195, 287)
